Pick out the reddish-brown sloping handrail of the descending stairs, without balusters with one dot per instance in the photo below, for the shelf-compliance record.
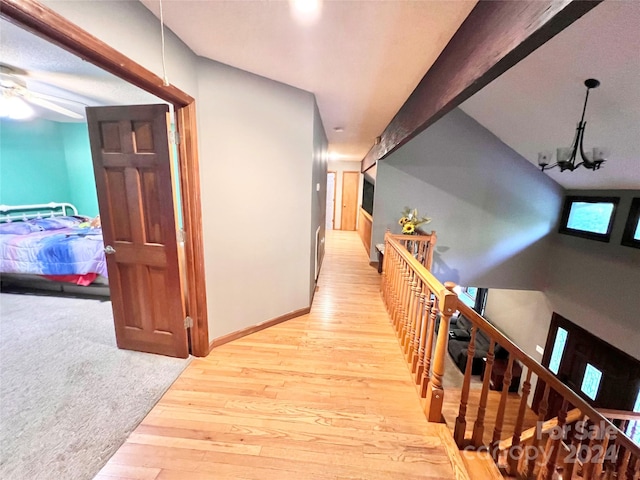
(543, 374)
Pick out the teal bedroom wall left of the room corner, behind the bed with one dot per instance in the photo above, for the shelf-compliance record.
(32, 171)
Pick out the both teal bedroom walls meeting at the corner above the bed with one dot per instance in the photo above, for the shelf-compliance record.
(43, 161)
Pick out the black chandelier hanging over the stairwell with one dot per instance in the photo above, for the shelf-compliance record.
(566, 157)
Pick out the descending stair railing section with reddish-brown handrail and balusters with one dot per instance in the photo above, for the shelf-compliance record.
(581, 442)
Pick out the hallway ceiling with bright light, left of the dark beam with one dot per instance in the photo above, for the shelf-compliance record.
(361, 59)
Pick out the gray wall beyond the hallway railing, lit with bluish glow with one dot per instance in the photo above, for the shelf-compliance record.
(493, 211)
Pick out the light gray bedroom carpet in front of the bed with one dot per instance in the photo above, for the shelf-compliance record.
(68, 397)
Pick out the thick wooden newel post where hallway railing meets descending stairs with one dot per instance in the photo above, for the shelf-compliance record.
(435, 391)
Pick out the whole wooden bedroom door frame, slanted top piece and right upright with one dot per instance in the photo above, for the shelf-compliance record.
(51, 26)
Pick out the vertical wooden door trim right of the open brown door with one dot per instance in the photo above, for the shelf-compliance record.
(196, 294)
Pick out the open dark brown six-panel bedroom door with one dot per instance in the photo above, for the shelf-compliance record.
(132, 166)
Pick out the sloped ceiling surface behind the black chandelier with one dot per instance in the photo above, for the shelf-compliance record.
(536, 105)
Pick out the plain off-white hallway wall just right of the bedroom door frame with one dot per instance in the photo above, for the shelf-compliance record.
(256, 151)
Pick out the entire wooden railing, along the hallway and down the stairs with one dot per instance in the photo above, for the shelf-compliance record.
(579, 443)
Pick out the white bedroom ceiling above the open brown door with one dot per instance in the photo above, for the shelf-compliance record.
(51, 70)
